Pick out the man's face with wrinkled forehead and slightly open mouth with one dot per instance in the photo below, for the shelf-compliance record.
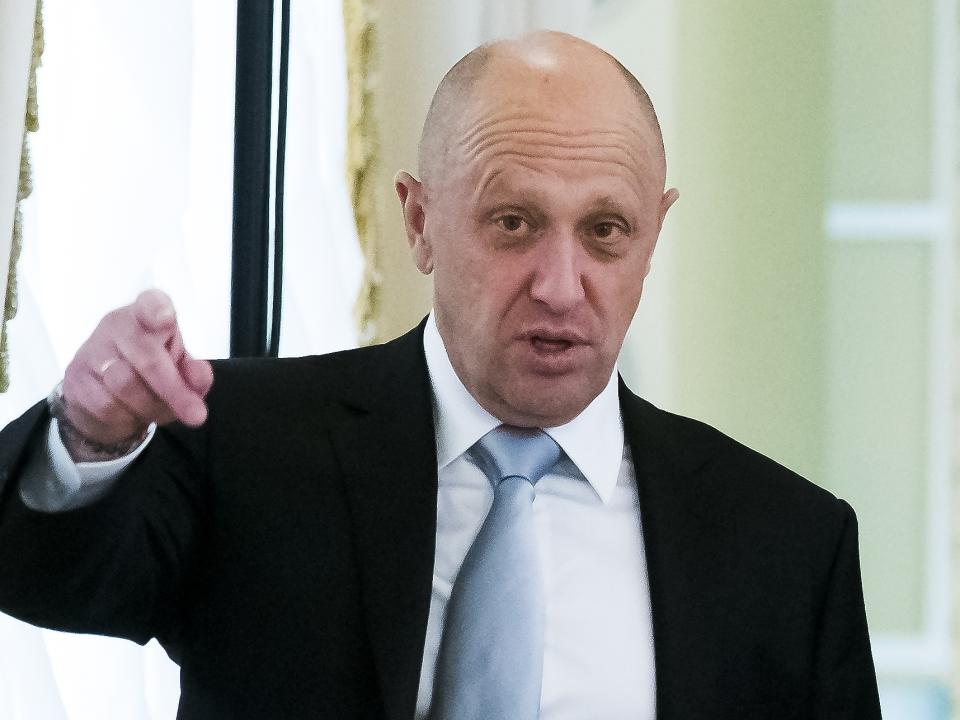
(539, 231)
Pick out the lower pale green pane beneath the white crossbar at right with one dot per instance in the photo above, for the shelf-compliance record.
(878, 416)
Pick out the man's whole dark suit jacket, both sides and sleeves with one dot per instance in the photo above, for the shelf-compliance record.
(283, 553)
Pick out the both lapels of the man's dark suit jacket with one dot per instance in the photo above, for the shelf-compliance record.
(384, 440)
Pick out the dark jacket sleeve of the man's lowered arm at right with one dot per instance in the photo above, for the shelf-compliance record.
(844, 680)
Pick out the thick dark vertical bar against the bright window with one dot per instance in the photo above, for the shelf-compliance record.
(251, 178)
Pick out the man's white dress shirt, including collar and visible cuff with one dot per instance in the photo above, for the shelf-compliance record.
(598, 656)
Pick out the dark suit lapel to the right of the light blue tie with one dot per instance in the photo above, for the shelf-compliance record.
(682, 518)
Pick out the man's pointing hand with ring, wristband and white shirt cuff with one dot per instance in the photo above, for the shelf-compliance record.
(131, 374)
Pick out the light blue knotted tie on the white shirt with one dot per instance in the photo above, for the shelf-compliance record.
(490, 665)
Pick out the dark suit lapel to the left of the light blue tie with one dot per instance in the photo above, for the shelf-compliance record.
(386, 448)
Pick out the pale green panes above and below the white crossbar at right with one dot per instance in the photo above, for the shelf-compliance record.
(881, 129)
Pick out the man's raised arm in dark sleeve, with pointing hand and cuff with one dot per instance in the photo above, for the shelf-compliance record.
(109, 562)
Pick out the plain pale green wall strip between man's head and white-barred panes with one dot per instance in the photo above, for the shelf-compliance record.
(750, 280)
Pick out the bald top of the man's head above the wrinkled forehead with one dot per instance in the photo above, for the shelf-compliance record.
(541, 57)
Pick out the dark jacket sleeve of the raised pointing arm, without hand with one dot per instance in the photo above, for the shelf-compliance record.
(119, 566)
